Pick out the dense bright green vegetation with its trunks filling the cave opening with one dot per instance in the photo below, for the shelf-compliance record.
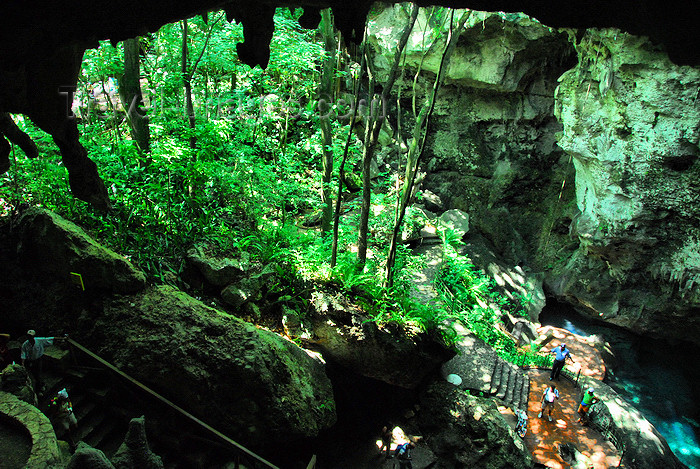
(237, 159)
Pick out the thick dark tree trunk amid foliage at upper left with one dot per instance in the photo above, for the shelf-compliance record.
(131, 96)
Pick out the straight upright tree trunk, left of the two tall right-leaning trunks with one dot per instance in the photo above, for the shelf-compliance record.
(326, 92)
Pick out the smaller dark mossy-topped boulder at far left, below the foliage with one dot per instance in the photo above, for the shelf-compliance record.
(53, 246)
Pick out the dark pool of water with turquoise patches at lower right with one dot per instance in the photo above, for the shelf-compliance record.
(658, 378)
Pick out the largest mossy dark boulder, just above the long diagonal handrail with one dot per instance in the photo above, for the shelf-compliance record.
(249, 382)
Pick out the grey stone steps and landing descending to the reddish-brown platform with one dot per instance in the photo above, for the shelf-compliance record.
(482, 370)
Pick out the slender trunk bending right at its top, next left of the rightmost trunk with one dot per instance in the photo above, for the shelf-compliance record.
(374, 125)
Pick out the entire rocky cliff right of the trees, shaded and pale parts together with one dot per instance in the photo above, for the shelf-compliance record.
(574, 154)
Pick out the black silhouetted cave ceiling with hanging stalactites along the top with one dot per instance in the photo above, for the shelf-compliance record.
(42, 44)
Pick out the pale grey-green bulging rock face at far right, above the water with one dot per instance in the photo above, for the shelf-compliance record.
(631, 127)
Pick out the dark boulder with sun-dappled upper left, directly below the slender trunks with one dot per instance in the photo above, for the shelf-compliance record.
(345, 335)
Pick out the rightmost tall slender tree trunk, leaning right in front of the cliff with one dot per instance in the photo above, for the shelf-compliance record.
(415, 149)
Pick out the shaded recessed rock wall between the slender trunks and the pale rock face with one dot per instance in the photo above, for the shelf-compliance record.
(492, 149)
